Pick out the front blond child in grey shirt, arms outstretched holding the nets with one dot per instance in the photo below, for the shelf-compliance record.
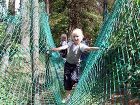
(75, 48)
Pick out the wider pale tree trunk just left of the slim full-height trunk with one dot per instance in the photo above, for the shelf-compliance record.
(25, 30)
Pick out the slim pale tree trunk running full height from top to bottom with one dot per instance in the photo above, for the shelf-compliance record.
(35, 53)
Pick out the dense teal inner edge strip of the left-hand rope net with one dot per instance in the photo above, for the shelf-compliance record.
(54, 60)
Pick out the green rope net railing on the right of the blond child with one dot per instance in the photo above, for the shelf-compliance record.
(112, 75)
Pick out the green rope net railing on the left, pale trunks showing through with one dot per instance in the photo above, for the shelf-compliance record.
(29, 71)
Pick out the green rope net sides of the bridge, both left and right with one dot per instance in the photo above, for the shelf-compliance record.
(30, 74)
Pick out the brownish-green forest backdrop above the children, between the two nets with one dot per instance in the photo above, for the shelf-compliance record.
(65, 15)
